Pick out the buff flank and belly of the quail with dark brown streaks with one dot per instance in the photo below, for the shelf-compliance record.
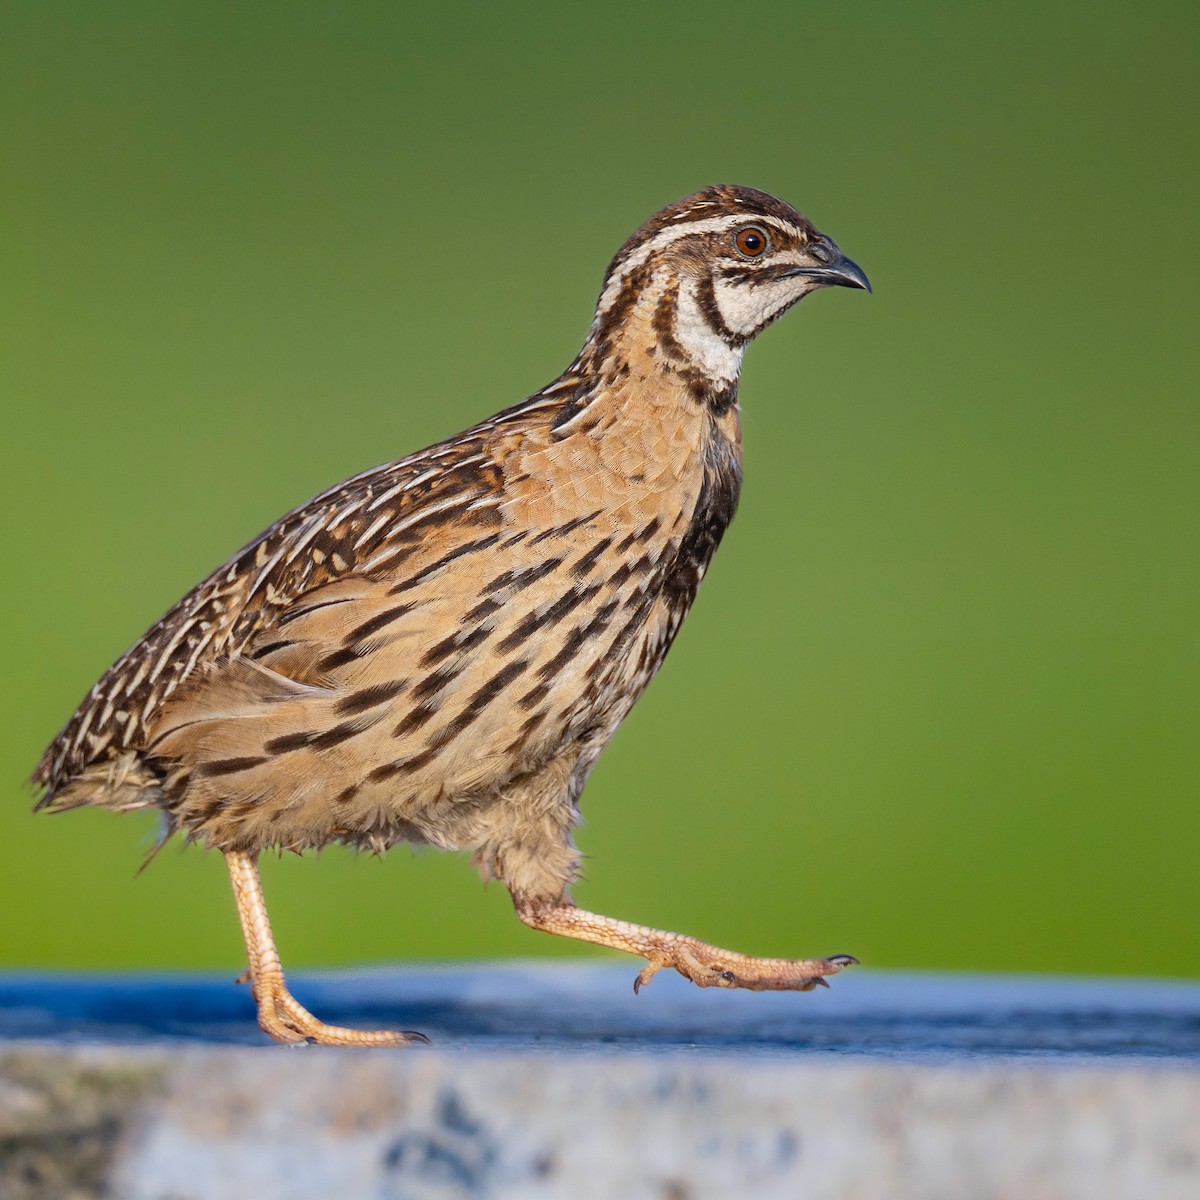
(255, 759)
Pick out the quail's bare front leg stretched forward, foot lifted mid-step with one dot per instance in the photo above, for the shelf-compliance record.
(707, 967)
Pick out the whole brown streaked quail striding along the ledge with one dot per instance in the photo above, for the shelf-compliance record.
(439, 650)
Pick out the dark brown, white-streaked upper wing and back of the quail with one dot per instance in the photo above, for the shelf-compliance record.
(369, 526)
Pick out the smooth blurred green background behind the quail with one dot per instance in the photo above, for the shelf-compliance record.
(938, 704)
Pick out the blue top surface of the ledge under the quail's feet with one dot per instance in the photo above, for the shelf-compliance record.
(591, 1009)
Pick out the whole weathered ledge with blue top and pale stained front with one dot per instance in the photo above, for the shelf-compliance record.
(556, 1082)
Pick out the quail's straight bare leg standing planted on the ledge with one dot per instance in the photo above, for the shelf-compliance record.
(280, 1013)
